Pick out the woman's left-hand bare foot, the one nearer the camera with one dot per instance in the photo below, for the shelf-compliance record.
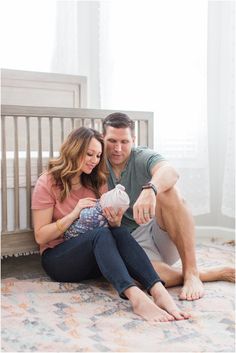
(145, 307)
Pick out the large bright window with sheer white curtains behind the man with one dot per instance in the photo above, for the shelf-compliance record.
(153, 57)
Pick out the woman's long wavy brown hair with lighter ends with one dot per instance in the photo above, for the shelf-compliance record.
(72, 154)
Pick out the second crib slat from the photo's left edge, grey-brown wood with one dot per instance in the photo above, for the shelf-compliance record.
(16, 176)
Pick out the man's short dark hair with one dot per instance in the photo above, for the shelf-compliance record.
(118, 120)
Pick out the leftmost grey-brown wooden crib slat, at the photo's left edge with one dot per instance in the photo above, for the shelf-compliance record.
(4, 177)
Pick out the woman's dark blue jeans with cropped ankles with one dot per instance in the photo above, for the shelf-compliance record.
(111, 252)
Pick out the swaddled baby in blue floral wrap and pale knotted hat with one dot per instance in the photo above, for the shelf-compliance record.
(92, 217)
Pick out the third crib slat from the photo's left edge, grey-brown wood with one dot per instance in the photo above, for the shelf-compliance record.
(28, 175)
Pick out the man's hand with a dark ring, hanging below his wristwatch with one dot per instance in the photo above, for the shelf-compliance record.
(144, 207)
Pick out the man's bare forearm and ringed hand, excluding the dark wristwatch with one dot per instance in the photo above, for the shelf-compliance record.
(164, 177)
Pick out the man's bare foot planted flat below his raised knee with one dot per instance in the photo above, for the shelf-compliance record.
(192, 289)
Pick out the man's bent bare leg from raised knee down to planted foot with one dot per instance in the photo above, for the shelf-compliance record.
(174, 217)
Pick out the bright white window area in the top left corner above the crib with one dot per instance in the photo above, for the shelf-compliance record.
(27, 29)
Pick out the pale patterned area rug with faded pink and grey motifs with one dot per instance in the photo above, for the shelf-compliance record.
(45, 316)
